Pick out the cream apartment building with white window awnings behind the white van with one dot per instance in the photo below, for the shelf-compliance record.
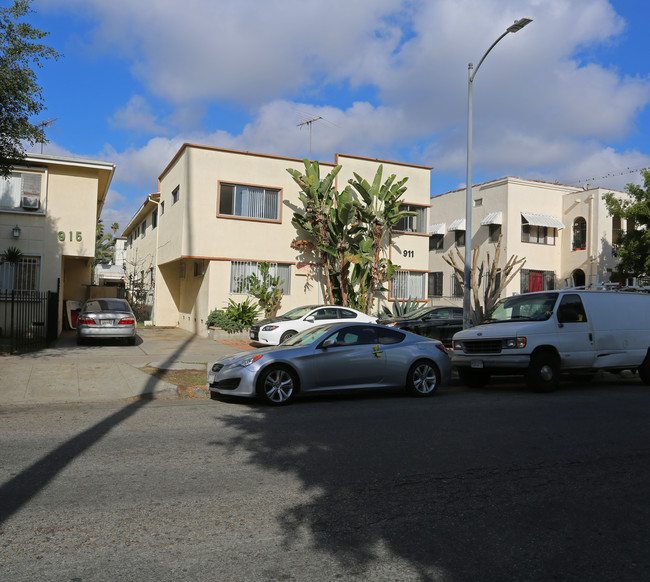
(565, 234)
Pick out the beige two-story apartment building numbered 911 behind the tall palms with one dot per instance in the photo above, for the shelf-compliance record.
(219, 213)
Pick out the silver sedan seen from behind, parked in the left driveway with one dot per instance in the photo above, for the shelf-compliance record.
(105, 318)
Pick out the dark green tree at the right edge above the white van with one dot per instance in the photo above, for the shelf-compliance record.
(633, 244)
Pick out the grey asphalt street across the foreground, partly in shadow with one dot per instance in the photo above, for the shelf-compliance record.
(488, 485)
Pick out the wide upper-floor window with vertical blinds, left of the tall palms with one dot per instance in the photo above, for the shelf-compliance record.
(249, 201)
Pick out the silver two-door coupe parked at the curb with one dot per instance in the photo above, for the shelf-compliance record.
(337, 356)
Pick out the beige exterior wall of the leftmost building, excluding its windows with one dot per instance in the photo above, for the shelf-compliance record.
(61, 232)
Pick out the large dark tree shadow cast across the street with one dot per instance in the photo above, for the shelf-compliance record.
(457, 487)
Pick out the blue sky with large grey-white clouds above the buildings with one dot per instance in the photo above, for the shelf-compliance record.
(563, 100)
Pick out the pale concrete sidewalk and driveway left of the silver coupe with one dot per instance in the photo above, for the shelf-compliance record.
(105, 371)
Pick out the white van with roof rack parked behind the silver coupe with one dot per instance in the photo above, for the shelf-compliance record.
(543, 334)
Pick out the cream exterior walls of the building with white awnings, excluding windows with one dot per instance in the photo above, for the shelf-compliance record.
(512, 196)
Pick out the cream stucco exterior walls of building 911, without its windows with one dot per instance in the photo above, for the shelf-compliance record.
(192, 230)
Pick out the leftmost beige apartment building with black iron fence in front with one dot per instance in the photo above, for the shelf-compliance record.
(49, 208)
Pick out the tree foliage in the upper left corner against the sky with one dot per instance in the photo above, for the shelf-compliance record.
(20, 94)
